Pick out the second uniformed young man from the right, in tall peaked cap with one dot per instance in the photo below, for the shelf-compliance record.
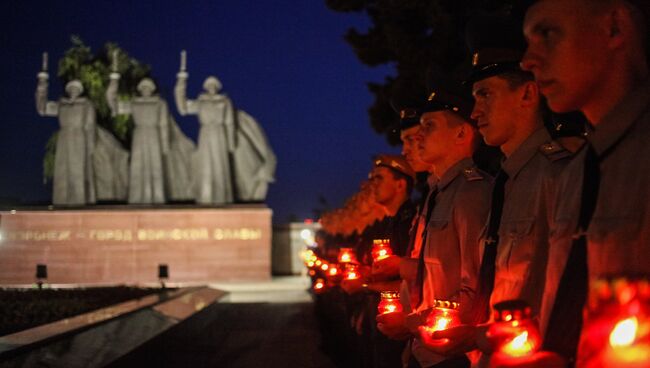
(508, 109)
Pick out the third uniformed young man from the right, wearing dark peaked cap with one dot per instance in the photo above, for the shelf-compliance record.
(454, 214)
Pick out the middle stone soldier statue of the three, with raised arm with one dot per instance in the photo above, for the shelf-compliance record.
(152, 164)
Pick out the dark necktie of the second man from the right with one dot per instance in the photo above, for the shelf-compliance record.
(481, 305)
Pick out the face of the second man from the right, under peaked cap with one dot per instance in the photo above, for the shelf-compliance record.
(494, 103)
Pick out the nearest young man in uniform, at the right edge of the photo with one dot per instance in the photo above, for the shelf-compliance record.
(591, 56)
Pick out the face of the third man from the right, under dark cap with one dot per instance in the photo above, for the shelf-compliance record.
(436, 136)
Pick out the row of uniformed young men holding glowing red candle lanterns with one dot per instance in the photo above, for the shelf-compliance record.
(546, 263)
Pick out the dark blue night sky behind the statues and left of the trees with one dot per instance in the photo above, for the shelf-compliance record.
(284, 62)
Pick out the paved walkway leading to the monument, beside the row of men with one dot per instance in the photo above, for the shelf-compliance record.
(258, 325)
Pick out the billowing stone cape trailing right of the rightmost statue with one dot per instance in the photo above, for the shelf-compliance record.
(254, 160)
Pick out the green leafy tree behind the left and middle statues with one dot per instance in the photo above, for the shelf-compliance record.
(93, 70)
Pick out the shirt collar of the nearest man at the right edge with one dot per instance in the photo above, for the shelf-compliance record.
(620, 119)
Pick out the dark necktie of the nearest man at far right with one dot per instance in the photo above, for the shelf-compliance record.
(565, 322)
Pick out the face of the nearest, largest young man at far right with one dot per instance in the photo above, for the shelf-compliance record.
(567, 51)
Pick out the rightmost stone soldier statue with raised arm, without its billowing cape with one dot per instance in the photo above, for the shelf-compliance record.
(212, 171)
